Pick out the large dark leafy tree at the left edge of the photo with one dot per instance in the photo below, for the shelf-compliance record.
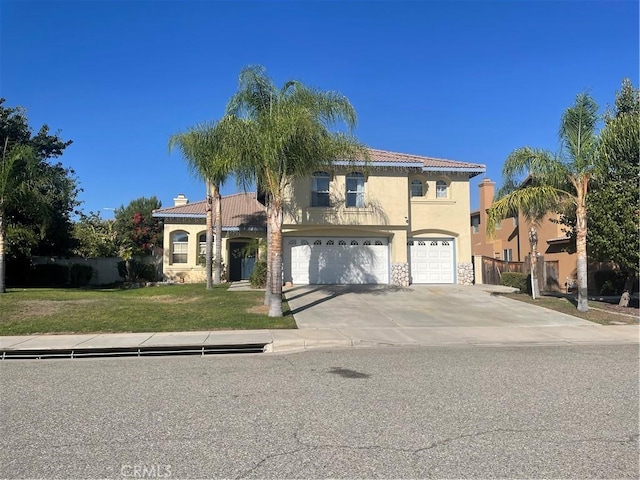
(36, 197)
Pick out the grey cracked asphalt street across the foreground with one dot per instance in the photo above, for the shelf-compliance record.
(480, 412)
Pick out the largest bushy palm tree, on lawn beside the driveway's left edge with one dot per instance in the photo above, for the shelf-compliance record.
(279, 134)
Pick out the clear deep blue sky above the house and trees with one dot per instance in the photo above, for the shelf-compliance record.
(463, 80)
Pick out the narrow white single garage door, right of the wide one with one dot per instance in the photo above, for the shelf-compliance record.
(432, 260)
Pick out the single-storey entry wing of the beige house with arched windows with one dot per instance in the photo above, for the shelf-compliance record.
(243, 221)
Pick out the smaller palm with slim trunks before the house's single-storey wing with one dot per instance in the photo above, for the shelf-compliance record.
(201, 148)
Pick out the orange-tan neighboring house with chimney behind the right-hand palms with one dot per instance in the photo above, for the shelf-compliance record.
(511, 239)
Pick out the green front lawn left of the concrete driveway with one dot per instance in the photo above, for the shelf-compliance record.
(151, 309)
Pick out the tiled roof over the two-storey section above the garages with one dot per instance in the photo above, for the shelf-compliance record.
(383, 158)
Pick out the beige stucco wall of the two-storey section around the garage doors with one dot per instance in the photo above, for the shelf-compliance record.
(389, 212)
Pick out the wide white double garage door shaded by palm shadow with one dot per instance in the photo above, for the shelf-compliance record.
(336, 260)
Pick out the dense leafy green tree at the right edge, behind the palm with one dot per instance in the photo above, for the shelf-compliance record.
(613, 202)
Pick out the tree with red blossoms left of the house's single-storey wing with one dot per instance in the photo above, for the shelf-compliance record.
(137, 232)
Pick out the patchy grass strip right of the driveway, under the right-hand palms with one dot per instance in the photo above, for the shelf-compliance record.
(599, 312)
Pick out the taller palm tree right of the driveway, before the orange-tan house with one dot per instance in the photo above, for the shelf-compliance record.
(556, 183)
